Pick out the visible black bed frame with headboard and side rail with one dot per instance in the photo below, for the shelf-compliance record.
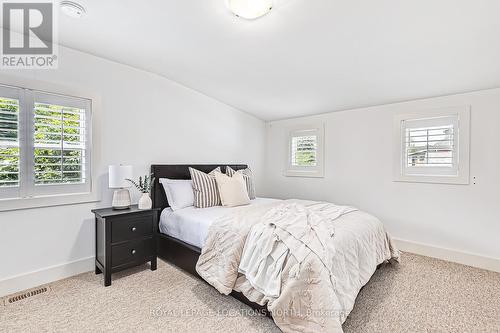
(173, 250)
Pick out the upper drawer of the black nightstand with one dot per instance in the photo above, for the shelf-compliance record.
(130, 228)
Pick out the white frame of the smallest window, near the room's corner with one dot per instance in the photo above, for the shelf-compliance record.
(316, 171)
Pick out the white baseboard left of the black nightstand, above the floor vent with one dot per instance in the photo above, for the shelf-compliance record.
(29, 280)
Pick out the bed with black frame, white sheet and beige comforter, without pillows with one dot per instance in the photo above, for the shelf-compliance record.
(206, 242)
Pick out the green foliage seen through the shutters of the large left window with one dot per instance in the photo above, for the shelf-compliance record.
(54, 162)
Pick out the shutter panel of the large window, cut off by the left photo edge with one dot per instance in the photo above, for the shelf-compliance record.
(10, 142)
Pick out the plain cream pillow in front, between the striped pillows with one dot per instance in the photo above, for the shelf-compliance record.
(232, 190)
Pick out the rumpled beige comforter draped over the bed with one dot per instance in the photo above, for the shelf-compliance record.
(330, 253)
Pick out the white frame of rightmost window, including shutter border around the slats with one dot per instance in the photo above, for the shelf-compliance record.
(457, 174)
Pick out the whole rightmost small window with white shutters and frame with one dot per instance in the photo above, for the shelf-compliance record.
(434, 146)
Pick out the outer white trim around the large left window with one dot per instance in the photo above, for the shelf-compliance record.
(47, 200)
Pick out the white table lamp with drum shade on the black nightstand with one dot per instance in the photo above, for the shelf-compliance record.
(117, 176)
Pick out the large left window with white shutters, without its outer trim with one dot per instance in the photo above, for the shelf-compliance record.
(44, 144)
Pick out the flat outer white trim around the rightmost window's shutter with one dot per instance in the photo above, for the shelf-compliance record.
(462, 137)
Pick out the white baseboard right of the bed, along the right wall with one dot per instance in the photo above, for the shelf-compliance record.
(464, 258)
